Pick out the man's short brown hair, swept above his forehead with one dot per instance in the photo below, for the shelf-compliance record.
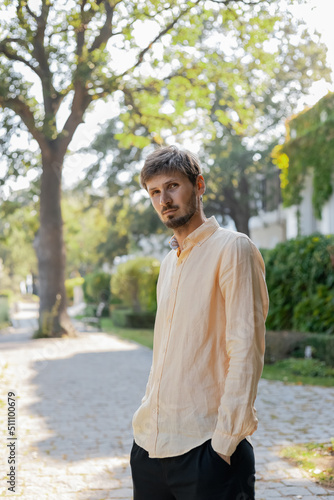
(170, 159)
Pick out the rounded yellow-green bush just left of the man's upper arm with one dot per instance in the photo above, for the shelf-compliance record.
(135, 282)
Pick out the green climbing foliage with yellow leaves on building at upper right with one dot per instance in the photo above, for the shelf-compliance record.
(309, 148)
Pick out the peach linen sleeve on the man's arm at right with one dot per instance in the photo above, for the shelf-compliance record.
(244, 291)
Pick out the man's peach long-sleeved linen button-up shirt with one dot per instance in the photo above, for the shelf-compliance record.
(209, 341)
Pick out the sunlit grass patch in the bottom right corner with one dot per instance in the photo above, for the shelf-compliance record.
(316, 459)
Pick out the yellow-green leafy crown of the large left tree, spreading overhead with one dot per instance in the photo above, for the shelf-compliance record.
(73, 52)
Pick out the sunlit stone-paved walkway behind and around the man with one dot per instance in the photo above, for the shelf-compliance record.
(76, 398)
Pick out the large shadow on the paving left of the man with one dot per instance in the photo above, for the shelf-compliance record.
(88, 401)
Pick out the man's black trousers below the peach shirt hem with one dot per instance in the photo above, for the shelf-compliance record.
(199, 474)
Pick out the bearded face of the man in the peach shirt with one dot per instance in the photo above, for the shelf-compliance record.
(174, 198)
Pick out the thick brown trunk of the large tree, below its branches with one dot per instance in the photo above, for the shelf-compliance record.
(53, 318)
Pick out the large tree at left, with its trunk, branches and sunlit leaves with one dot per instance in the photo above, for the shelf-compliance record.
(63, 48)
